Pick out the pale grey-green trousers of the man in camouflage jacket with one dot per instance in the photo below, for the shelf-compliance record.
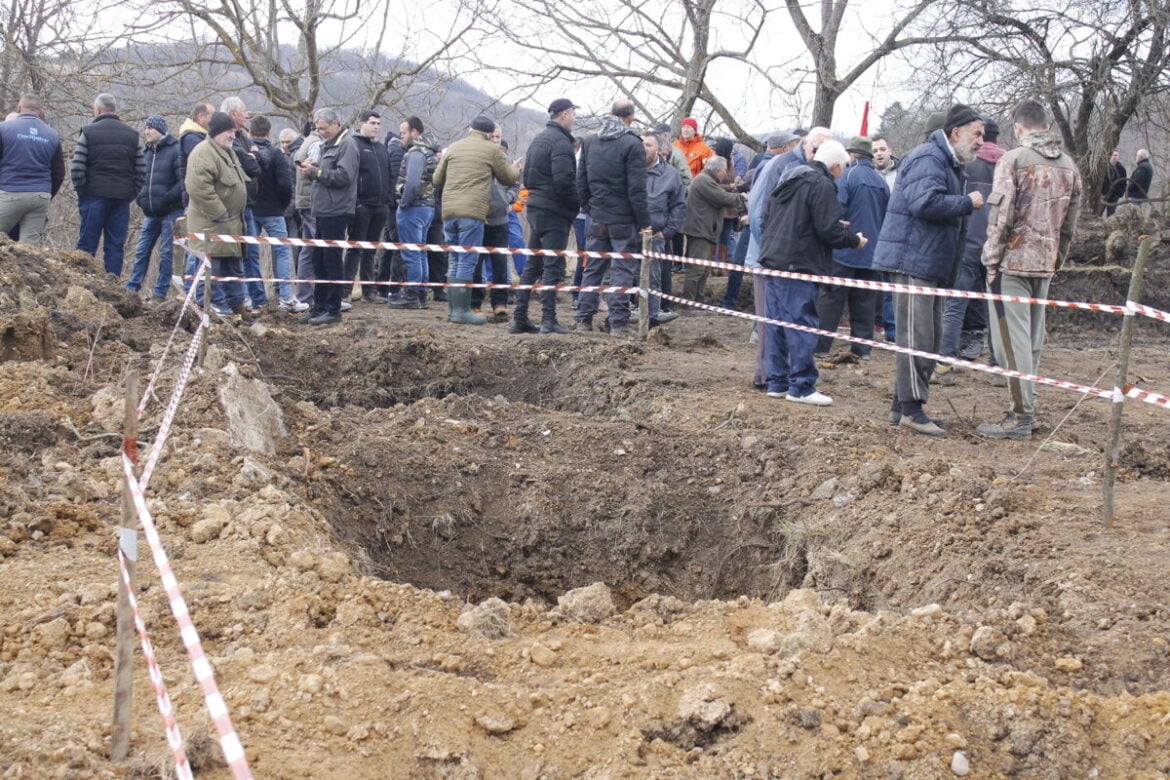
(1017, 335)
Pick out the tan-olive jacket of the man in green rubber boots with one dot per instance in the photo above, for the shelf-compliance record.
(466, 174)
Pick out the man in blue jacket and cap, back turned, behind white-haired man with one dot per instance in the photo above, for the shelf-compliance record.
(864, 197)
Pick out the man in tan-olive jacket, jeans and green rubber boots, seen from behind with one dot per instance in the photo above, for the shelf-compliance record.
(465, 175)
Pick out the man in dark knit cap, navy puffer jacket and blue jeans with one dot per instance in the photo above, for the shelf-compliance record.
(162, 203)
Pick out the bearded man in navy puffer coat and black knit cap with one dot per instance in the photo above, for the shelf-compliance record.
(920, 246)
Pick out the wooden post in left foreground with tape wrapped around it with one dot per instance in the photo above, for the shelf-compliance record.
(128, 542)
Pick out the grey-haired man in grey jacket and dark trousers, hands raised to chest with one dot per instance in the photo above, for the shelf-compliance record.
(334, 201)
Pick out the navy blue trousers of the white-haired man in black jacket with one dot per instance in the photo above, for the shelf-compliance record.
(788, 360)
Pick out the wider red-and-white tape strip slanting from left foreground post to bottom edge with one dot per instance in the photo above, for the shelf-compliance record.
(217, 708)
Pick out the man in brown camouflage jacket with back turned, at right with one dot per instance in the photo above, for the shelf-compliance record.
(1035, 202)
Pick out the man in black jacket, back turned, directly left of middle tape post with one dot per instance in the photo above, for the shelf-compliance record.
(611, 185)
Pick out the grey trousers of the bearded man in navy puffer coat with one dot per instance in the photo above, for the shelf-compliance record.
(919, 325)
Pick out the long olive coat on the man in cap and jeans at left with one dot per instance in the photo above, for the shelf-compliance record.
(217, 189)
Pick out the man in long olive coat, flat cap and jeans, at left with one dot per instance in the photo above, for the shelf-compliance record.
(217, 191)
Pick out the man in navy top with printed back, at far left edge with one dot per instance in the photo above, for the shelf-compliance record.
(32, 169)
